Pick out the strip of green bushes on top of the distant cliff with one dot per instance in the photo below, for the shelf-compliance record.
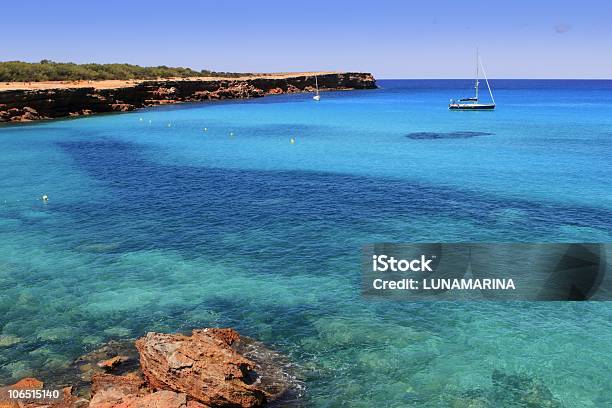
(45, 70)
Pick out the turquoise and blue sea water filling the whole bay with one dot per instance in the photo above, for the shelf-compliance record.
(157, 227)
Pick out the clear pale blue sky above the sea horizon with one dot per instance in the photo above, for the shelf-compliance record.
(391, 39)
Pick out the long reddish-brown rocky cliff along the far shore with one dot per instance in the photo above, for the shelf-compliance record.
(20, 105)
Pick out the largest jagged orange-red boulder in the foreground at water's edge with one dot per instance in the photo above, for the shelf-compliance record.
(204, 366)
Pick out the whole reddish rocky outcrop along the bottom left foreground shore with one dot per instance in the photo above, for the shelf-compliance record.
(210, 368)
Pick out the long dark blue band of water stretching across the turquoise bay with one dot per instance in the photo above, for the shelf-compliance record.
(230, 201)
